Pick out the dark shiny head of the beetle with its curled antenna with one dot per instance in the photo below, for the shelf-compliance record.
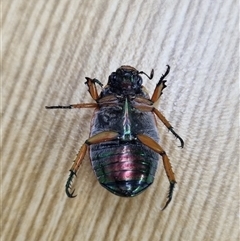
(126, 80)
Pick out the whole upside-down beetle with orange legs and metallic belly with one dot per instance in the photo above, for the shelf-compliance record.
(123, 142)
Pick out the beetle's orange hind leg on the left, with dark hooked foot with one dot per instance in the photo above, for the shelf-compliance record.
(98, 138)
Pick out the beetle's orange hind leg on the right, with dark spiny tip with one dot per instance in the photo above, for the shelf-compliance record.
(149, 142)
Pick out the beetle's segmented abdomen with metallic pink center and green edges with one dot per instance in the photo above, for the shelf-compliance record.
(124, 169)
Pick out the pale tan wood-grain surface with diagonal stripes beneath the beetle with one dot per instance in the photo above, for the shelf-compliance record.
(48, 47)
